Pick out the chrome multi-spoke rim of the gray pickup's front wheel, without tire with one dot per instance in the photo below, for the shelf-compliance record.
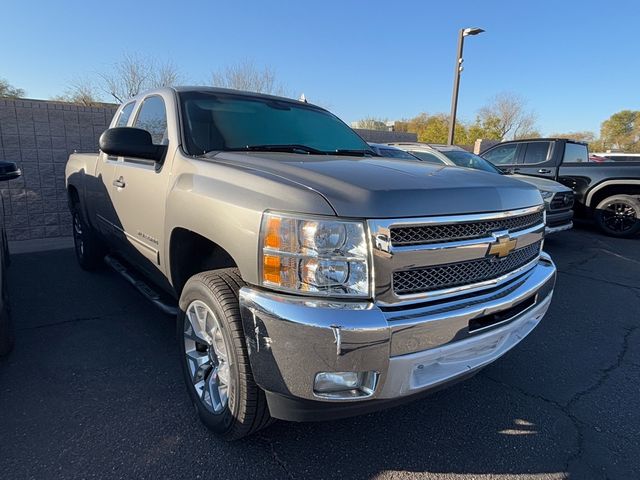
(207, 356)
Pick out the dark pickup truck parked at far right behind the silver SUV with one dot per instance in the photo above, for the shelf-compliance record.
(607, 192)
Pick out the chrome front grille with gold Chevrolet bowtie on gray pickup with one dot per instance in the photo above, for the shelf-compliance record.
(418, 259)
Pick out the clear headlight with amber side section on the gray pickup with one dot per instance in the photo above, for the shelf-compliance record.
(319, 256)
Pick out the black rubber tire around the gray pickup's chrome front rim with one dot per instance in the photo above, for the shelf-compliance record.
(246, 409)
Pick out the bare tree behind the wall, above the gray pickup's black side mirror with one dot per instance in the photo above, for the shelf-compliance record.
(134, 74)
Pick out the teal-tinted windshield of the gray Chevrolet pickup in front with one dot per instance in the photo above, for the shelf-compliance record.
(216, 121)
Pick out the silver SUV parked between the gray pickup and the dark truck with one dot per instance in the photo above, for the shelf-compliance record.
(558, 199)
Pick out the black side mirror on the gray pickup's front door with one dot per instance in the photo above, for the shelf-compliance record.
(131, 142)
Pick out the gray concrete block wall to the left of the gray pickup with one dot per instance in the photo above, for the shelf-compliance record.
(39, 136)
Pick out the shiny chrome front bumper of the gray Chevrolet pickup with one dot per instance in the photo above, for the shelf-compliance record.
(412, 349)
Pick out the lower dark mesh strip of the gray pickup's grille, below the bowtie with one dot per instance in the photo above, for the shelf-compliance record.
(465, 273)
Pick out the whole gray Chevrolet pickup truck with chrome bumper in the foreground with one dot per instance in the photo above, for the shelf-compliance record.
(313, 278)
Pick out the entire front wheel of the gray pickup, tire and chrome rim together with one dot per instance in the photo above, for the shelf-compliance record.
(214, 356)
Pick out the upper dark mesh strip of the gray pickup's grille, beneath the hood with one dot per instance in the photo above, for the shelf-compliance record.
(425, 234)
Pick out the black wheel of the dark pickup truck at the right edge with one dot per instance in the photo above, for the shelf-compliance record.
(619, 216)
